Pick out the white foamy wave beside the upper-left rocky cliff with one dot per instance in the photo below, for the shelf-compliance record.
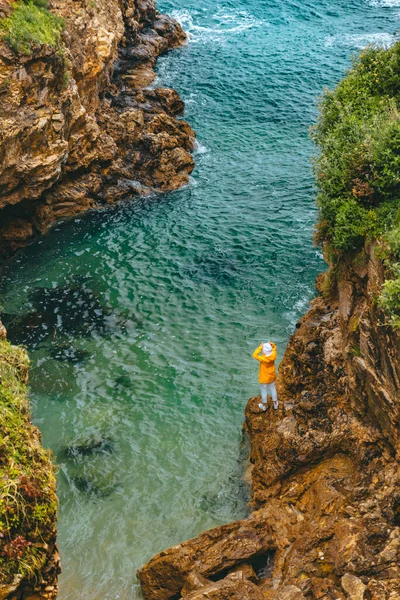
(223, 24)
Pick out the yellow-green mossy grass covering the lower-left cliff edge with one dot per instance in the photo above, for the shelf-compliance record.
(28, 503)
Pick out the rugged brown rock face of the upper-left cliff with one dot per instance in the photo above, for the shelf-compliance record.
(81, 129)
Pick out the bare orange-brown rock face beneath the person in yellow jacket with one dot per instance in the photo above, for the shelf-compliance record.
(325, 475)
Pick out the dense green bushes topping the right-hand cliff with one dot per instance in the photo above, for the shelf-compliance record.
(358, 169)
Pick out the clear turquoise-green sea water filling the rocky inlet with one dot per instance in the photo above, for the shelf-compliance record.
(142, 401)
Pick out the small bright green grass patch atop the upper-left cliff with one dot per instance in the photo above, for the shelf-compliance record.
(31, 24)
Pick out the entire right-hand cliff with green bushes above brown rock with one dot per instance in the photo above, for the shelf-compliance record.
(325, 466)
